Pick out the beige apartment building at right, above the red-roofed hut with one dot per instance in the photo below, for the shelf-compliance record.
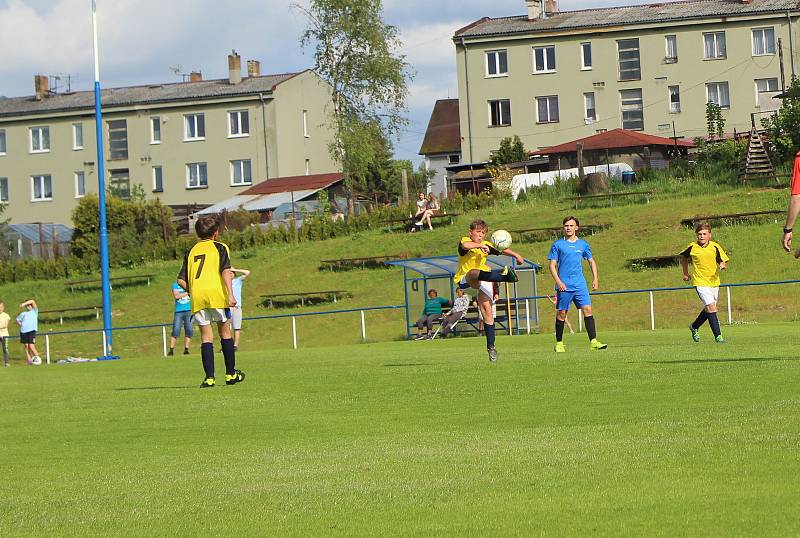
(551, 76)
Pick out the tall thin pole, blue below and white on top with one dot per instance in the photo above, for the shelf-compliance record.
(101, 188)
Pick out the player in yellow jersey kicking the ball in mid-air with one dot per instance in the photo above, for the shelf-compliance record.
(473, 272)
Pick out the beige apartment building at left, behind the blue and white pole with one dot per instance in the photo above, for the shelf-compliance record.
(194, 142)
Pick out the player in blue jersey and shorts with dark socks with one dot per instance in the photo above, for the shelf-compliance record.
(566, 265)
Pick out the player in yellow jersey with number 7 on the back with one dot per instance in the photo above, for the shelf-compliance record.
(206, 274)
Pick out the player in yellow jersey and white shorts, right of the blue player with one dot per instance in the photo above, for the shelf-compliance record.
(707, 258)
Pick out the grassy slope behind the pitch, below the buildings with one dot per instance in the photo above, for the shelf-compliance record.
(638, 230)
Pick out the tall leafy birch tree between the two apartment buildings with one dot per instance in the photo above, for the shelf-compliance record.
(356, 53)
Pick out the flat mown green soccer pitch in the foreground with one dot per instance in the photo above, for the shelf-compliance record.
(654, 436)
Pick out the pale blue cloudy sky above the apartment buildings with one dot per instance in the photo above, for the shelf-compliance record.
(142, 40)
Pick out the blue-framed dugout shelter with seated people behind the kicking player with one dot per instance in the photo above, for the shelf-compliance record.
(437, 272)
